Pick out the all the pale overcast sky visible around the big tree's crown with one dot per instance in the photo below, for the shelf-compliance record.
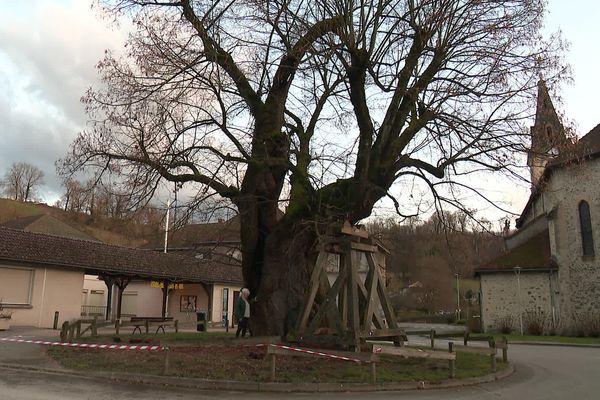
(48, 49)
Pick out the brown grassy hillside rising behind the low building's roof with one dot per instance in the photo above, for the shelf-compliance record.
(121, 233)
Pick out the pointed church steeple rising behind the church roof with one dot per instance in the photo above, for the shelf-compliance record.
(547, 135)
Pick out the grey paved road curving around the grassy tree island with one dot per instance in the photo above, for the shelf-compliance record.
(543, 372)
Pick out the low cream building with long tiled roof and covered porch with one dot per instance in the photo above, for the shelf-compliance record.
(41, 275)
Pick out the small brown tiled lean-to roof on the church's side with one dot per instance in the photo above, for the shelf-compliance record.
(531, 255)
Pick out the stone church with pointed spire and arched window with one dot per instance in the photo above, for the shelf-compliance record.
(549, 274)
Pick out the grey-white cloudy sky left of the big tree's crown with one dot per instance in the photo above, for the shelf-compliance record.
(48, 51)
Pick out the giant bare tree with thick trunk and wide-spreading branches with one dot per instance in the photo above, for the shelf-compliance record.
(315, 107)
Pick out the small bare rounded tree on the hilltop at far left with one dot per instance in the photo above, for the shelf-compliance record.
(22, 180)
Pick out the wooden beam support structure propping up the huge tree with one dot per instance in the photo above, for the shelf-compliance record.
(353, 304)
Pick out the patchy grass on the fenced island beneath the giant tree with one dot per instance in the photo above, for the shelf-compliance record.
(207, 357)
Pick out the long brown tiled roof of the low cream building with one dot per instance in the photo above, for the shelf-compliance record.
(95, 257)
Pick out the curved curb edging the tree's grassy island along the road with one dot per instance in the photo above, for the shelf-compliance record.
(205, 384)
